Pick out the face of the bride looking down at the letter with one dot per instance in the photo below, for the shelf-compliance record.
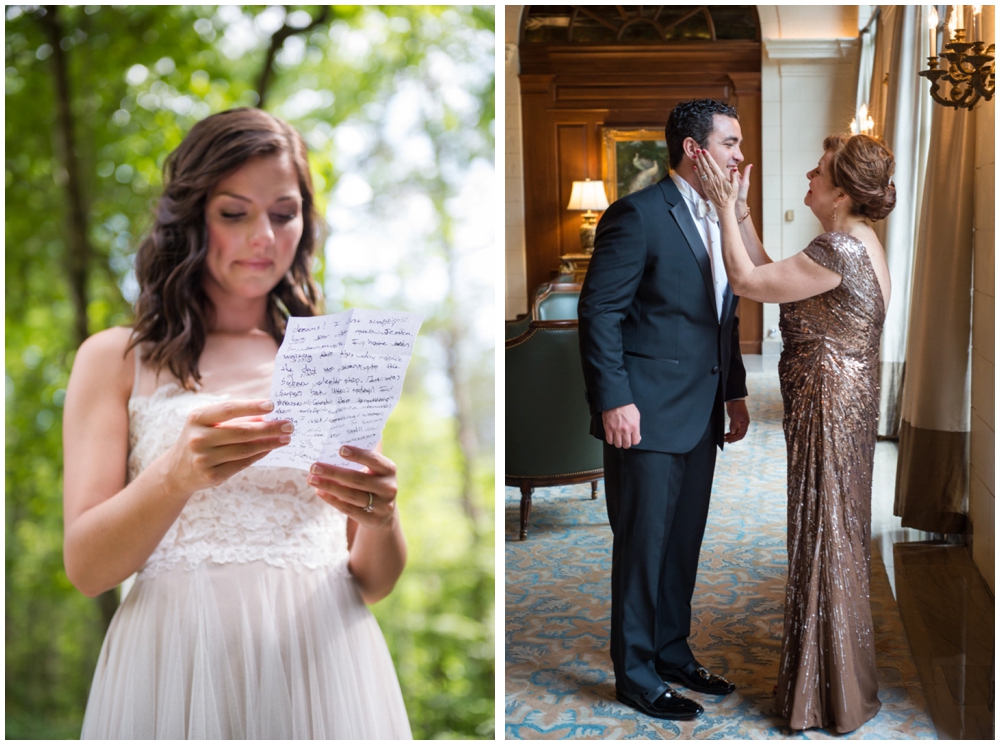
(254, 219)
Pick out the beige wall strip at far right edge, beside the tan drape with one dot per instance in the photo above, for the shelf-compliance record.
(983, 449)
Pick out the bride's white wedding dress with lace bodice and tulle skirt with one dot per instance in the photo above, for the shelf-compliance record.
(244, 623)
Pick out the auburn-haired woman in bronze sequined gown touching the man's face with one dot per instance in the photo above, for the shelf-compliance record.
(833, 298)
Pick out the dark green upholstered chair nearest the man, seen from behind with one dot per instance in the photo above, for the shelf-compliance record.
(548, 441)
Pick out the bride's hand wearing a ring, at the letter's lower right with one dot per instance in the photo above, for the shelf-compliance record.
(367, 497)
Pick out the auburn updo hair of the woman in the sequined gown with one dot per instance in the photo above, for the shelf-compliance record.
(862, 167)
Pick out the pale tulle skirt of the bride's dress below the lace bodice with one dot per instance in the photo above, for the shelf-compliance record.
(245, 651)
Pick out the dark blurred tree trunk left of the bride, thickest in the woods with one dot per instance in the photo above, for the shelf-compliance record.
(78, 249)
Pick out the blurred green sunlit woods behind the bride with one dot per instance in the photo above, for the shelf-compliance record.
(397, 105)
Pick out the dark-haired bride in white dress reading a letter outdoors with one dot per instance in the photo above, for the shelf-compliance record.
(248, 616)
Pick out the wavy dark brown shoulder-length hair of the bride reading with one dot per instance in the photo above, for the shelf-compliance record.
(173, 310)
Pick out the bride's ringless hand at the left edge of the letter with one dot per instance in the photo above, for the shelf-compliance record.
(220, 440)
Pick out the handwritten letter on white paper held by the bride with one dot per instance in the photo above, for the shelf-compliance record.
(337, 378)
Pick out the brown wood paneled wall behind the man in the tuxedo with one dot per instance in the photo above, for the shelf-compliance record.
(568, 94)
